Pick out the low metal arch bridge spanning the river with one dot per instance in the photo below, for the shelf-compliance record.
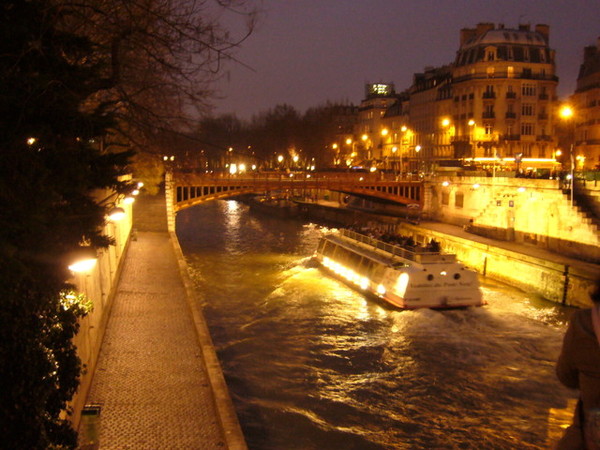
(187, 189)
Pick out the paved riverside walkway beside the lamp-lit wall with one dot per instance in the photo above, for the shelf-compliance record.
(158, 380)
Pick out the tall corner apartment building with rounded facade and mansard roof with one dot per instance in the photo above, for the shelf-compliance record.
(504, 89)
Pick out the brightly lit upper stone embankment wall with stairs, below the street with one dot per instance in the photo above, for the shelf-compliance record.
(523, 210)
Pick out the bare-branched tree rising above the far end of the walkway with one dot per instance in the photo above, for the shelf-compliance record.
(160, 58)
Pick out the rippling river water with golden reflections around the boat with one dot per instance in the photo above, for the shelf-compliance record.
(312, 364)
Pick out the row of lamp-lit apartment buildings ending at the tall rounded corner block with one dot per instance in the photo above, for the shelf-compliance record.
(493, 106)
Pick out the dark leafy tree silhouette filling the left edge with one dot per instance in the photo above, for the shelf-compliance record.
(51, 171)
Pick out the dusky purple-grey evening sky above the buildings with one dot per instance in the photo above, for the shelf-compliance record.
(305, 52)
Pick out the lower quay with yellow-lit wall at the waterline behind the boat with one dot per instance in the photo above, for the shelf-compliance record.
(552, 276)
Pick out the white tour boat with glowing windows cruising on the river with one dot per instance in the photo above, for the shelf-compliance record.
(407, 279)
